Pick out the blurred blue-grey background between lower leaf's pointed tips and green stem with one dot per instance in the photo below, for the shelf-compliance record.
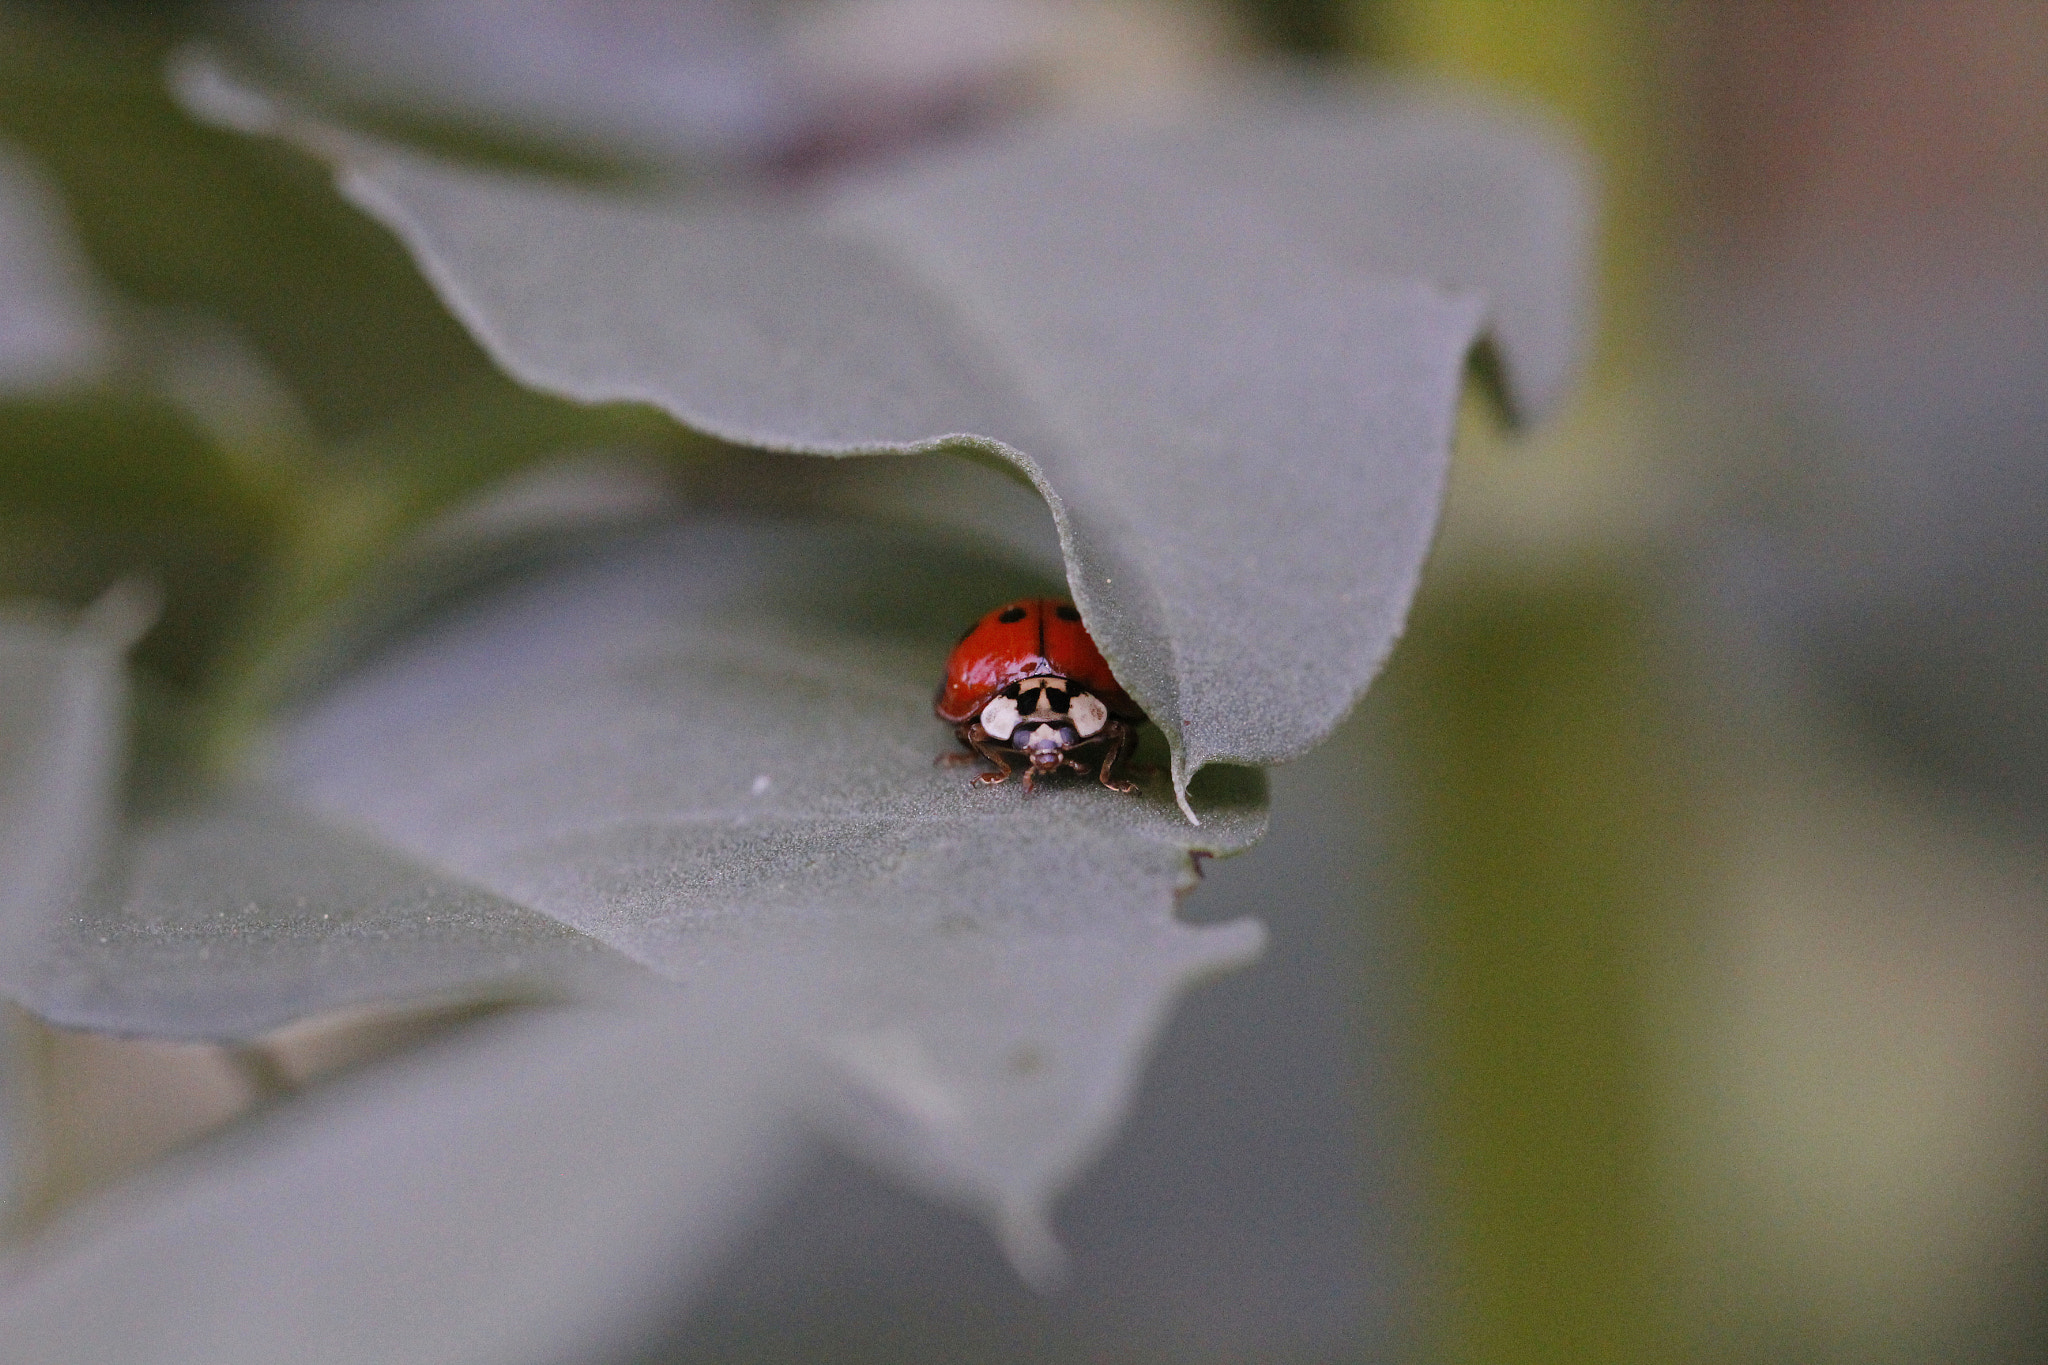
(1254, 1206)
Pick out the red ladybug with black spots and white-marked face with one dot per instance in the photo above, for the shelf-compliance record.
(1029, 680)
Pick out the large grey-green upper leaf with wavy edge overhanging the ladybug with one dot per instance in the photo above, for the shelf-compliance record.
(1226, 355)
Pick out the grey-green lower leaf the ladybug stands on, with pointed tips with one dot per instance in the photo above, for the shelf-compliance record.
(708, 750)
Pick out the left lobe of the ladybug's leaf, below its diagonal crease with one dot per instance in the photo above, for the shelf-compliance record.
(239, 914)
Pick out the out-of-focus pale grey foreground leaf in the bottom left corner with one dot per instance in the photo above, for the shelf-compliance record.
(544, 1188)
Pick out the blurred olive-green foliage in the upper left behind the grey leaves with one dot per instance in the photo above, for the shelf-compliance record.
(282, 394)
